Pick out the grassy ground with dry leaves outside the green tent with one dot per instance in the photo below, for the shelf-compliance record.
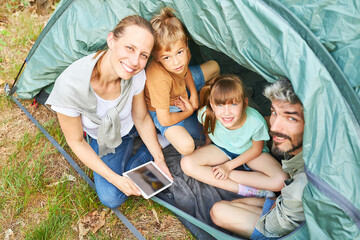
(38, 199)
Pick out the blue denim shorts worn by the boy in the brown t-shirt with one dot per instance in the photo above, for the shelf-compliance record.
(191, 123)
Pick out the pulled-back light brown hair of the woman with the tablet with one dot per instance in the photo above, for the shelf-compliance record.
(132, 20)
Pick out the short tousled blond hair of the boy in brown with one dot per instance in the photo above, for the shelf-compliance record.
(168, 29)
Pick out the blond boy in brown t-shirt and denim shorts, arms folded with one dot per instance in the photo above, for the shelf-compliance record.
(169, 78)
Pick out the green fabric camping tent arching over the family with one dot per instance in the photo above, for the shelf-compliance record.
(316, 44)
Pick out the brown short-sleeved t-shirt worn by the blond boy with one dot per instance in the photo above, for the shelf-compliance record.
(162, 87)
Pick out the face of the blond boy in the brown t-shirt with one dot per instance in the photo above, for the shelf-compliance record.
(176, 59)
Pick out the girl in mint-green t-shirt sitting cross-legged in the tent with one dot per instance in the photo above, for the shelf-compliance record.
(238, 134)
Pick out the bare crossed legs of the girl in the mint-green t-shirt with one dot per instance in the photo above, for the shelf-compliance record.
(267, 173)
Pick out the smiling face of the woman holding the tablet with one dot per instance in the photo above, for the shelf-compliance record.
(130, 52)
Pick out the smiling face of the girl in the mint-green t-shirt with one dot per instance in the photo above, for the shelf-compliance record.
(229, 114)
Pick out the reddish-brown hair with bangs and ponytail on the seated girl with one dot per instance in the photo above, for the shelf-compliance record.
(226, 89)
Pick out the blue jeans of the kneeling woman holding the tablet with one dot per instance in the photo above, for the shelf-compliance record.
(120, 161)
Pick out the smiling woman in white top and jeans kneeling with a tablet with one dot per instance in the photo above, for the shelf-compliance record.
(102, 94)
